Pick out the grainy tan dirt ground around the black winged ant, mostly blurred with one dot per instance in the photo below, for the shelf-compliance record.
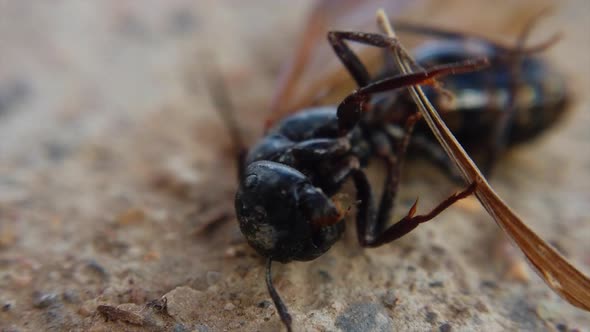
(112, 166)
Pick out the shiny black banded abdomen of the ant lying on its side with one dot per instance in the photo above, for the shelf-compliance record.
(482, 96)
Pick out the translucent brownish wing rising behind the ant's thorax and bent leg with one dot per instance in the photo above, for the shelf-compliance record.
(313, 71)
